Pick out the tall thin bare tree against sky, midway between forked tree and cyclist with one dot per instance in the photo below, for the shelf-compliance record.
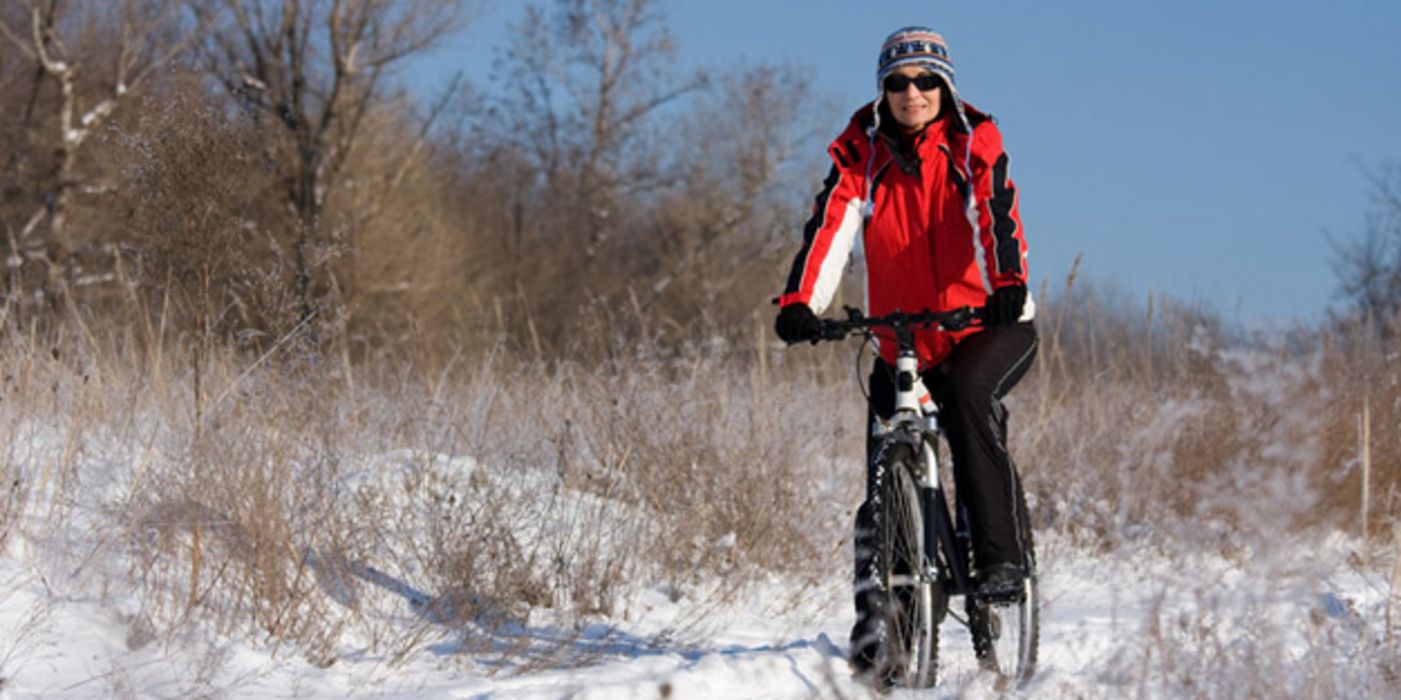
(584, 86)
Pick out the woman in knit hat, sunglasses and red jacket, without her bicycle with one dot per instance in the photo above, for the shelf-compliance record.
(923, 178)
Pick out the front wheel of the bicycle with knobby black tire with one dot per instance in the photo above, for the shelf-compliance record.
(911, 624)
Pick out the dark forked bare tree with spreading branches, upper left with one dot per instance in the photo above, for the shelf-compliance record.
(312, 72)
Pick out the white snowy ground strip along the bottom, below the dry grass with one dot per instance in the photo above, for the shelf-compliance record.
(1305, 621)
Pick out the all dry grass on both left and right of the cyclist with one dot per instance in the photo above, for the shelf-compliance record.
(305, 502)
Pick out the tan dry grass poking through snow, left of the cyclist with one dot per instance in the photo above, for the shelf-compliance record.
(292, 500)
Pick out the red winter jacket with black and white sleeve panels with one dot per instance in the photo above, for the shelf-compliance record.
(927, 248)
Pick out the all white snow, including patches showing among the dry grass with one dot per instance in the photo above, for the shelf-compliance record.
(1199, 611)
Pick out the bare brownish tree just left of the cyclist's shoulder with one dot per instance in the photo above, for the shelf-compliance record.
(750, 152)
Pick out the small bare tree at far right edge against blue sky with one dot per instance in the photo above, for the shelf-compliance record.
(1369, 268)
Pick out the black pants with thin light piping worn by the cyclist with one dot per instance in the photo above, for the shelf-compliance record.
(969, 387)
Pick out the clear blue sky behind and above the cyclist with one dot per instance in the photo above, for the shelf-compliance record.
(1199, 149)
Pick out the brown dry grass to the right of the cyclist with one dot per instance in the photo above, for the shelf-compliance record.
(1137, 419)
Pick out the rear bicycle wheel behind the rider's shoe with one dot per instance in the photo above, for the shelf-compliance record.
(1007, 636)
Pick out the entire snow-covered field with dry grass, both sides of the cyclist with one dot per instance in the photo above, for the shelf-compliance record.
(148, 556)
